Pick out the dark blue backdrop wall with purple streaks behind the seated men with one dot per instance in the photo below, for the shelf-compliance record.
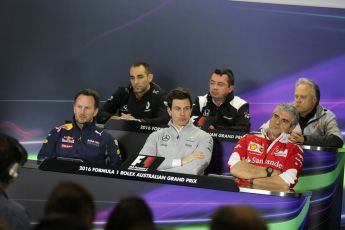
(51, 49)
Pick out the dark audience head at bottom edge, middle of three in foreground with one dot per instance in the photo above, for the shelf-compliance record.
(130, 213)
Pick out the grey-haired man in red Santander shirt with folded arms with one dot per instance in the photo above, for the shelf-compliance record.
(269, 160)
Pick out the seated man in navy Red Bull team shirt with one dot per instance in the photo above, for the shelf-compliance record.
(81, 138)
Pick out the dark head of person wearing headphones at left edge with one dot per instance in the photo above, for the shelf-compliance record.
(11, 153)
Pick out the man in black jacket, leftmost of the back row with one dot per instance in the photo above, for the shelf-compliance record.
(142, 100)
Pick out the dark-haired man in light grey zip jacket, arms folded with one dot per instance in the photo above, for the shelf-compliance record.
(186, 148)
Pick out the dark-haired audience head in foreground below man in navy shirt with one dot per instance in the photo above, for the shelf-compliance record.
(72, 199)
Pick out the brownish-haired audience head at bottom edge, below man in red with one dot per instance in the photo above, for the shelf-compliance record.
(237, 218)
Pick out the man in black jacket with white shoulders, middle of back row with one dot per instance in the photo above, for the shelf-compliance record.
(220, 108)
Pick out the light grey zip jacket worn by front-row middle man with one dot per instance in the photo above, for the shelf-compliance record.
(174, 144)
